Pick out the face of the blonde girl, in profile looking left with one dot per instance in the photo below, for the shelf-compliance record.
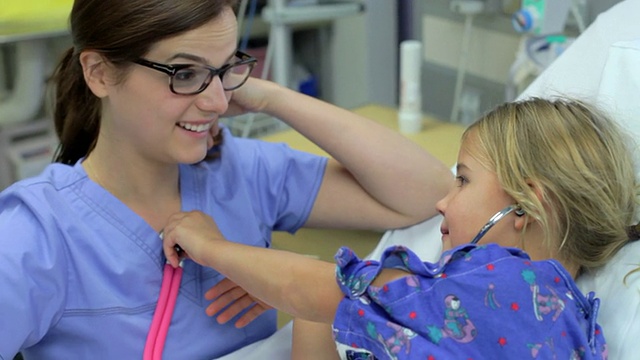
(469, 205)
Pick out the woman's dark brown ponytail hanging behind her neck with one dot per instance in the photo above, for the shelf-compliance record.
(76, 112)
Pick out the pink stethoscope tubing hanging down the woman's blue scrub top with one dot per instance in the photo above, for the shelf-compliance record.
(171, 278)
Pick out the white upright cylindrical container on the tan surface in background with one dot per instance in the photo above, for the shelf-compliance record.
(410, 112)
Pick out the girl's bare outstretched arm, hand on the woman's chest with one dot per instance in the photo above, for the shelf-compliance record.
(293, 283)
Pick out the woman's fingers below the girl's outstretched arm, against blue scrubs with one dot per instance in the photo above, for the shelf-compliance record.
(233, 299)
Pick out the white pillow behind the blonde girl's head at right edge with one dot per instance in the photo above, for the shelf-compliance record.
(620, 300)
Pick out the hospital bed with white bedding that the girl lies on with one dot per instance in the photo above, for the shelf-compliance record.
(602, 66)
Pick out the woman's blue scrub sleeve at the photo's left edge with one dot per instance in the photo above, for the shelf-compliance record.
(32, 276)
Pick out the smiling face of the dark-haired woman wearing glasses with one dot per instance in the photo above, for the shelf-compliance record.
(141, 116)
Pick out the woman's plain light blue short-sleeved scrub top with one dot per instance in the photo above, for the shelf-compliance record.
(80, 272)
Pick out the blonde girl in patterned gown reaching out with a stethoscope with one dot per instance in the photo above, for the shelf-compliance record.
(555, 177)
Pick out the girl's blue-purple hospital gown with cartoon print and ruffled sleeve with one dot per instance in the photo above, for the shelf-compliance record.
(477, 302)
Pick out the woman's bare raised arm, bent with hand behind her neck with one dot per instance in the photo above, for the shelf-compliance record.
(379, 179)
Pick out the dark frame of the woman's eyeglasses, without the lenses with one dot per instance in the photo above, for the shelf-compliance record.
(172, 70)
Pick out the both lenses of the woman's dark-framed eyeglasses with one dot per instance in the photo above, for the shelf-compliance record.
(193, 78)
